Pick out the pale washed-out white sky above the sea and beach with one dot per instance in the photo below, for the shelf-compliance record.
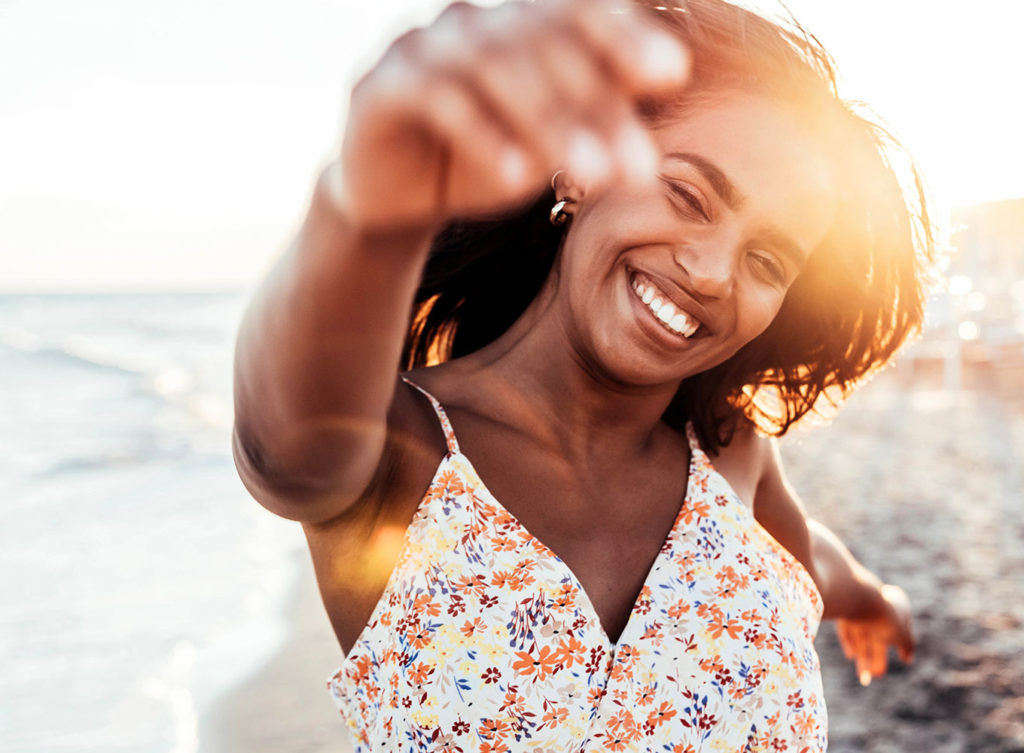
(172, 146)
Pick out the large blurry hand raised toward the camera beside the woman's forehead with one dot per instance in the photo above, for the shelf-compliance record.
(474, 114)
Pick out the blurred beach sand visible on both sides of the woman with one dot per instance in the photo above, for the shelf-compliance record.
(925, 487)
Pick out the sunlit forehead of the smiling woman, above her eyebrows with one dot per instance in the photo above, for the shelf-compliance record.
(780, 169)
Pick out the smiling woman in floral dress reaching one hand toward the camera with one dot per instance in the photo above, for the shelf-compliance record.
(726, 246)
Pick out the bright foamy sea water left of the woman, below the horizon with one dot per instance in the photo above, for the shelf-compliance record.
(138, 578)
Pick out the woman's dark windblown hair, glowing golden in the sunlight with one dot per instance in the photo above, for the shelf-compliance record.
(859, 299)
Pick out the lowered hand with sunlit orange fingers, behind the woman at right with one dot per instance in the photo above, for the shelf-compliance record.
(867, 641)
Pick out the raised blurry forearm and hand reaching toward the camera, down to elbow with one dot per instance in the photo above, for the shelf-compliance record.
(457, 120)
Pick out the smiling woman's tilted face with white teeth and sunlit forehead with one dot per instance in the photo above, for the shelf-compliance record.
(741, 200)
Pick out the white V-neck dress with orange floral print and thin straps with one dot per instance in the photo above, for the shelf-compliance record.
(485, 641)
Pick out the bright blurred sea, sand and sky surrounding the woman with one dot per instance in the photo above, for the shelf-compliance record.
(154, 160)
